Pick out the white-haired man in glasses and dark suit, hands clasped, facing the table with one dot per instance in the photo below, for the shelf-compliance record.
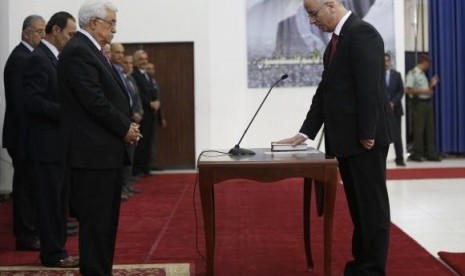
(97, 127)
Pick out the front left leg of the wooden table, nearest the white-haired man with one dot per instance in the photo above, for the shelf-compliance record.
(208, 208)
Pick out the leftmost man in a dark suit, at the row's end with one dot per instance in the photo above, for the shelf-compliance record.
(24, 219)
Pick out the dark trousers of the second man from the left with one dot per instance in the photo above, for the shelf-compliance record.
(52, 209)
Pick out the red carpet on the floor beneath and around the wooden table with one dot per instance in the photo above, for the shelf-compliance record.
(259, 231)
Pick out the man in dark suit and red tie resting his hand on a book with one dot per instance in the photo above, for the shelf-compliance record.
(351, 102)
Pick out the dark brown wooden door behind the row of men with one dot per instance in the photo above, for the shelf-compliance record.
(174, 145)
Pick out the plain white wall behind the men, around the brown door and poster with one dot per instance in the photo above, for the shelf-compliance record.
(223, 103)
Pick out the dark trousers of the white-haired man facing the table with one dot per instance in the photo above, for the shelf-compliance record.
(96, 196)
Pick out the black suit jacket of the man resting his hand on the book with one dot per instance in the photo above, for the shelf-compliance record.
(351, 98)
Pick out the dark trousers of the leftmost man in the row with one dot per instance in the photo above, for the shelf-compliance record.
(24, 206)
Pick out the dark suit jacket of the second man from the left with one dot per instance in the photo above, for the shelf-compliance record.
(43, 139)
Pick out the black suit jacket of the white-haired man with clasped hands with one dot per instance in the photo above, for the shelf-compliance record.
(95, 109)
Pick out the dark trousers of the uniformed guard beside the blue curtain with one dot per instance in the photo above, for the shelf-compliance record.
(423, 129)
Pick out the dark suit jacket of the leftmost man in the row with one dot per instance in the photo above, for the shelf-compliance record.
(13, 76)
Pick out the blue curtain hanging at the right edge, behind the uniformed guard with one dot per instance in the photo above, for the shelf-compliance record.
(446, 35)
